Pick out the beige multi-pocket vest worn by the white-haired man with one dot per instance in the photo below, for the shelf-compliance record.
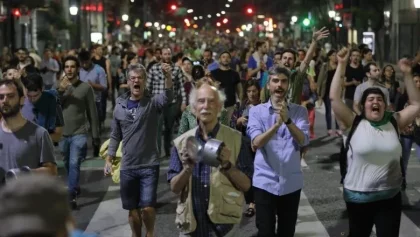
(225, 202)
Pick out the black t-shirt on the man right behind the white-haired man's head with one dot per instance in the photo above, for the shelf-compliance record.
(228, 80)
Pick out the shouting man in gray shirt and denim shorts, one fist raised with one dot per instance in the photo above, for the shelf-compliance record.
(135, 117)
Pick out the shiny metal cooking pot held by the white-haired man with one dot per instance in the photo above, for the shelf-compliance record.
(209, 154)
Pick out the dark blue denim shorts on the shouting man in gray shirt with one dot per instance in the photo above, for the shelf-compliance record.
(138, 187)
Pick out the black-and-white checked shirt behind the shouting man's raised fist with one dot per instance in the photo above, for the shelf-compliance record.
(156, 82)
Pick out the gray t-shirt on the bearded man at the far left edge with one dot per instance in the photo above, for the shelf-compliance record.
(29, 146)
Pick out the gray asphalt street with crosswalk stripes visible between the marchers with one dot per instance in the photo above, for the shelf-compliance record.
(321, 211)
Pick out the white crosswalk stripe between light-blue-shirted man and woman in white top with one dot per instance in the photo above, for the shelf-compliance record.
(308, 223)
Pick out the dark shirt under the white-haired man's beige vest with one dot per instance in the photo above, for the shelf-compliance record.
(201, 185)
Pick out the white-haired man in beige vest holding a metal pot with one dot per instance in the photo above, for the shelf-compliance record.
(210, 167)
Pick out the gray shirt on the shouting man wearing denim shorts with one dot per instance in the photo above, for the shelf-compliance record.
(137, 128)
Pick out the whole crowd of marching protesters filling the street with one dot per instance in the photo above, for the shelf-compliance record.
(260, 104)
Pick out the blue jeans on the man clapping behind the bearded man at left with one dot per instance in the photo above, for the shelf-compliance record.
(74, 149)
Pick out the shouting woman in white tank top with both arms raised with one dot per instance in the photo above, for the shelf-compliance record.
(372, 182)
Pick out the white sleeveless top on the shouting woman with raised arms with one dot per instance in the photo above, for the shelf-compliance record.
(373, 159)
